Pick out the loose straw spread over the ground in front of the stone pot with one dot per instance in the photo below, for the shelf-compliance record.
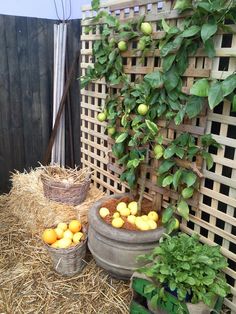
(28, 284)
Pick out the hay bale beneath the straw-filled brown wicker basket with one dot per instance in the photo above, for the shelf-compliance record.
(27, 202)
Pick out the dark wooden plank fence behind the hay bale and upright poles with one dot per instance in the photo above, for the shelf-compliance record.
(26, 76)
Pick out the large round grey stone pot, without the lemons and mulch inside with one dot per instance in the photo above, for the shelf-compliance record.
(116, 250)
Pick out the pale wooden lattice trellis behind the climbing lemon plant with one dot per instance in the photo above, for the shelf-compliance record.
(213, 215)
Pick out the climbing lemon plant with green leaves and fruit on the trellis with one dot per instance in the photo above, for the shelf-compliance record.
(132, 114)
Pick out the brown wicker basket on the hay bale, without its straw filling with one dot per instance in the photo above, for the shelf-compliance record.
(73, 194)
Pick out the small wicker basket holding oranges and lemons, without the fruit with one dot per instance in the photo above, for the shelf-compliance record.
(69, 262)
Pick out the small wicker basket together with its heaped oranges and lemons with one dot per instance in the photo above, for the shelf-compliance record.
(66, 244)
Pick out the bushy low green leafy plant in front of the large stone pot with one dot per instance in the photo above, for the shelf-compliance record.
(187, 269)
